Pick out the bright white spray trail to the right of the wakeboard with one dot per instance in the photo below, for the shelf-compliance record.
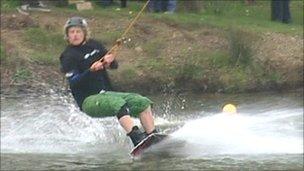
(267, 133)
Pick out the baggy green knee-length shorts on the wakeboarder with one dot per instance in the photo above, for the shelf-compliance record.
(109, 103)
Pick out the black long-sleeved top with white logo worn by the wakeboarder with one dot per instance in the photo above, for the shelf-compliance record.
(76, 62)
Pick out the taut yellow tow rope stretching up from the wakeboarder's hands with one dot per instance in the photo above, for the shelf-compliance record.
(118, 42)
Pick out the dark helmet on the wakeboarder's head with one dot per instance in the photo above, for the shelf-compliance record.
(76, 21)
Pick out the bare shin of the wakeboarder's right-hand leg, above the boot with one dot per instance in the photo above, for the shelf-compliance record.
(147, 120)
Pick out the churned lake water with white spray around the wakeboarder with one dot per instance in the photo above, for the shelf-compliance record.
(47, 132)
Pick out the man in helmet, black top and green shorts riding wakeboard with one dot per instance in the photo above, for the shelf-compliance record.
(90, 84)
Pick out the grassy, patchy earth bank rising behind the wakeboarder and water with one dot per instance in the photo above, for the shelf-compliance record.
(221, 48)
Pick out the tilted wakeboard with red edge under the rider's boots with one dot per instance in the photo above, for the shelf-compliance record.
(146, 143)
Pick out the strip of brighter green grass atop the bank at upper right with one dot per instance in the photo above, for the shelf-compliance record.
(238, 15)
